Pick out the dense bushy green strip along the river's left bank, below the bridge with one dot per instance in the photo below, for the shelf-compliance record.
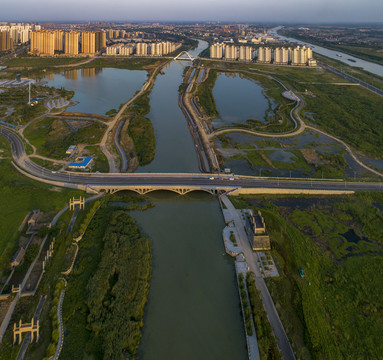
(107, 292)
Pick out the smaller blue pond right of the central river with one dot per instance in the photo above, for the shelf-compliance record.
(239, 99)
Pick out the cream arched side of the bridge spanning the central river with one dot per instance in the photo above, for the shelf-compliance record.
(144, 189)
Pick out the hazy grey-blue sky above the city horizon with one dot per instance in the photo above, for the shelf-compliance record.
(278, 11)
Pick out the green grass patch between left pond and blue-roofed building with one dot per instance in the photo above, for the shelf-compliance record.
(52, 137)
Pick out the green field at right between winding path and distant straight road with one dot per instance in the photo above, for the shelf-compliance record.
(349, 112)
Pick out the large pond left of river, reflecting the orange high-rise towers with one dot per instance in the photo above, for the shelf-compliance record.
(98, 90)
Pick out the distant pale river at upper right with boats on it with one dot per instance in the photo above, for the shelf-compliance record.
(366, 65)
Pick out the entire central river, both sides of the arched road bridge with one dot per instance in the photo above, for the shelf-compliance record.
(193, 311)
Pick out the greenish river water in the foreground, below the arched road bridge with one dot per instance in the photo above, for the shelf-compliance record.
(193, 310)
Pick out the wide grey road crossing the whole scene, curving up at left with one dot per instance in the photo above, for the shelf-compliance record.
(170, 179)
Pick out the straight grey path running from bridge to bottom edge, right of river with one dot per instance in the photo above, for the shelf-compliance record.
(275, 322)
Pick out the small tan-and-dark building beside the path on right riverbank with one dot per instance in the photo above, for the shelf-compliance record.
(256, 230)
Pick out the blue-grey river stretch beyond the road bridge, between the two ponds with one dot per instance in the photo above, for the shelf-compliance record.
(175, 150)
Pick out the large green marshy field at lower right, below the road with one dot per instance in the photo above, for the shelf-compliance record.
(334, 311)
